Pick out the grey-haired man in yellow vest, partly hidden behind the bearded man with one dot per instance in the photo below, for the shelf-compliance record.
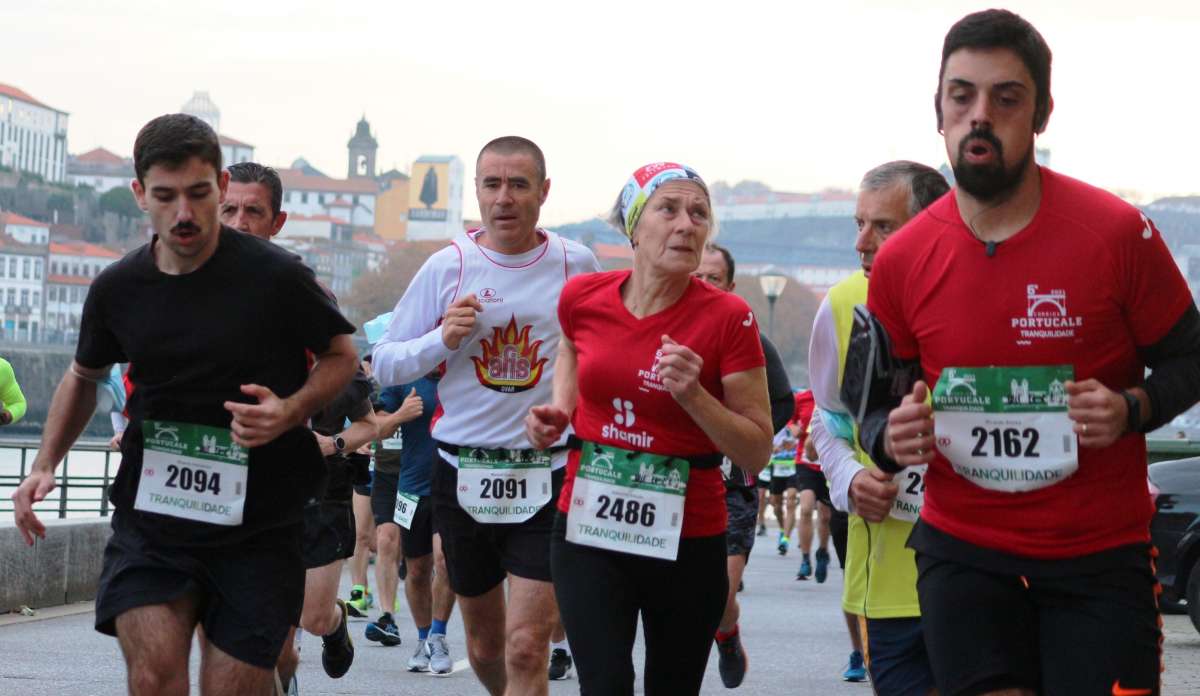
(880, 591)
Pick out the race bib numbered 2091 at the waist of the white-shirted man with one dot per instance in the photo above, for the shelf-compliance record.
(503, 487)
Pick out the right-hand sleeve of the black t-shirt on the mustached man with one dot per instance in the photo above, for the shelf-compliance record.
(310, 314)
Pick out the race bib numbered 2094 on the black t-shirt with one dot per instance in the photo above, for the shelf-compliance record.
(193, 472)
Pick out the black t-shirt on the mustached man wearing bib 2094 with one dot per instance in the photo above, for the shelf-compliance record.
(244, 317)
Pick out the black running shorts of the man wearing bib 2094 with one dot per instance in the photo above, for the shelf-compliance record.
(250, 593)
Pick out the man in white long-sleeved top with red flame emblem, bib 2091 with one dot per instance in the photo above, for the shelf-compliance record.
(485, 309)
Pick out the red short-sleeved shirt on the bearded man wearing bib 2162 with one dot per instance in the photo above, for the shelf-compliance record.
(1087, 284)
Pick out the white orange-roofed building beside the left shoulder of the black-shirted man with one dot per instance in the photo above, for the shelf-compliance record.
(73, 268)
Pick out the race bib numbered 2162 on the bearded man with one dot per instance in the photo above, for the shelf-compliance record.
(1006, 429)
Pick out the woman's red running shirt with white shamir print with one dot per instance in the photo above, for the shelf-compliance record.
(621, 400)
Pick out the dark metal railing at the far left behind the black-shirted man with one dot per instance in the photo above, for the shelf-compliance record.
(69, 497)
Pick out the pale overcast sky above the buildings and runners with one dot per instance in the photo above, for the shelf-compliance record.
(801, 95)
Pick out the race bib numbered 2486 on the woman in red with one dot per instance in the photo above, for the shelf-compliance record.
(629, 502)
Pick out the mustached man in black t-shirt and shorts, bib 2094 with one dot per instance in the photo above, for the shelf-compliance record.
(217, 463)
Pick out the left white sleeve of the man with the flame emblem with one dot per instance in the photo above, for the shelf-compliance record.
(413, 344)
